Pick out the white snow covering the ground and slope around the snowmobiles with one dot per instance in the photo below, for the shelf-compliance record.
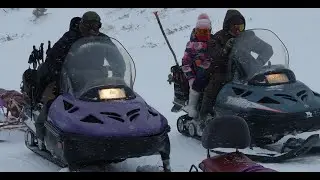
(138, 30)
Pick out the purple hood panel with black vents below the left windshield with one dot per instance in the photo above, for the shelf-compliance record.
(144, 125)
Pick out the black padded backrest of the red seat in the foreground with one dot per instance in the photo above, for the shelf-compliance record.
(226, 132)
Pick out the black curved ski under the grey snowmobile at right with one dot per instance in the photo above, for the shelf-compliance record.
(303, 148)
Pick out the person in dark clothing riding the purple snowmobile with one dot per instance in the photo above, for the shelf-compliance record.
(49, 73)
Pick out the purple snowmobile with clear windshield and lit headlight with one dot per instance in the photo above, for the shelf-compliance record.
(98, 118)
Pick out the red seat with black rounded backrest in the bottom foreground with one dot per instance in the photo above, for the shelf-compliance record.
(228, 132)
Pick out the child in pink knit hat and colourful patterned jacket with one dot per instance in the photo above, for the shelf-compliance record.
(195, 62)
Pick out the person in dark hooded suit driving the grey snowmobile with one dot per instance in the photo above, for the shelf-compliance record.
(222, 69)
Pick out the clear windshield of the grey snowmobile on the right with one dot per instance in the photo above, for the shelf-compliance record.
(257, 49)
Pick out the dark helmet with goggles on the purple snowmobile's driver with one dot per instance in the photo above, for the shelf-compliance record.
(90, 23)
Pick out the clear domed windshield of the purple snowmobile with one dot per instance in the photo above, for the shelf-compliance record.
(96, 61)
